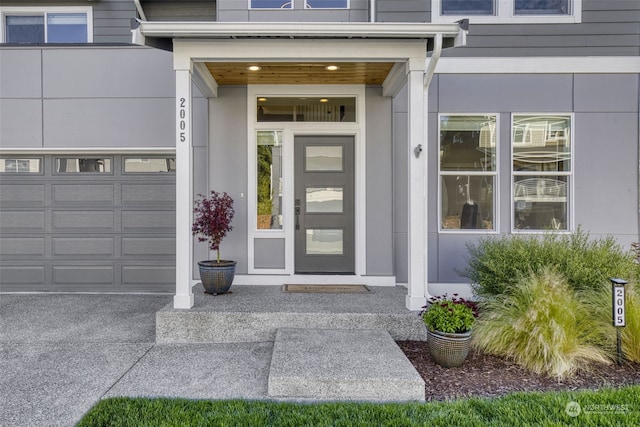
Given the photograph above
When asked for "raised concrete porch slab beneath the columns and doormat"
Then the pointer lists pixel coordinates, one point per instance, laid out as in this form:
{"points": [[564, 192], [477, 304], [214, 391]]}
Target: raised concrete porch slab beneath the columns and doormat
{"points": [[254, 313]]}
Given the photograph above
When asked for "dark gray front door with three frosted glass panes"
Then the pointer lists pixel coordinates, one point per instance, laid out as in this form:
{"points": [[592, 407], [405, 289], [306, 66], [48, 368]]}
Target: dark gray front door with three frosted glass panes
{"points": [[324, 205]]}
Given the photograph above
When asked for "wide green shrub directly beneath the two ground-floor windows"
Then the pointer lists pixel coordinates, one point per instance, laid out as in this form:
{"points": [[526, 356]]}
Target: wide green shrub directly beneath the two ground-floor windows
{"points": [[495, 264]]}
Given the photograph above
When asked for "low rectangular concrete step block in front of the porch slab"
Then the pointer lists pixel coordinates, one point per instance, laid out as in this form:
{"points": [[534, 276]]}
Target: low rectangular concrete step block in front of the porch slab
{"points": [[341, 364]]}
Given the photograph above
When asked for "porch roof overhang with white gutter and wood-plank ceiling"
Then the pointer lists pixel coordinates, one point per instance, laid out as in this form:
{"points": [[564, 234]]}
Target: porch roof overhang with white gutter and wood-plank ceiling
{"points": [[294, 52]]}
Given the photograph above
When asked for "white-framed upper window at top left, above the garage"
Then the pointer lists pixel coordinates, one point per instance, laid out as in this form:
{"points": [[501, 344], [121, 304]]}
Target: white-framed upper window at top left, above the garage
{"points": [[33, 25]]}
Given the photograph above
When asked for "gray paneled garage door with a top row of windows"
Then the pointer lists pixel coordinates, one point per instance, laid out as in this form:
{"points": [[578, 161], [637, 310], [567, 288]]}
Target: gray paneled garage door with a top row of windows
{"points": [[98, 223]]}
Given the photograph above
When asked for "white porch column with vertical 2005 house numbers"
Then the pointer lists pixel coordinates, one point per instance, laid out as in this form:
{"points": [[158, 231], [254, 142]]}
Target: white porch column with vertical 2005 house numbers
{"points": [[184, 183]]}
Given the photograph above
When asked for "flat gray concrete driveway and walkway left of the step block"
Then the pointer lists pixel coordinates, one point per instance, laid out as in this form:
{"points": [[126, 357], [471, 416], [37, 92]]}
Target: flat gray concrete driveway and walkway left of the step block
{"points": [[60, 354]]}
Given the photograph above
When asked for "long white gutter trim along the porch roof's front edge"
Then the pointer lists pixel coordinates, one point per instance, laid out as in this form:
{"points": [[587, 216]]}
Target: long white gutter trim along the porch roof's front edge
{"points": [[299, 29]]}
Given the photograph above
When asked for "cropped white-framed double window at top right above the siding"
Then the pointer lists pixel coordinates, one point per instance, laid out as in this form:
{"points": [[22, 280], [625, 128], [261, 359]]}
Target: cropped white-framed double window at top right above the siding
{"points": [[507, 11]]}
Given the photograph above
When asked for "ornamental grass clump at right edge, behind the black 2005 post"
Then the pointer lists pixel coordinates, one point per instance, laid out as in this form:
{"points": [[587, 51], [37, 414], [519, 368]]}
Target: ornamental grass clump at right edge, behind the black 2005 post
{"points": [[599, 301]]}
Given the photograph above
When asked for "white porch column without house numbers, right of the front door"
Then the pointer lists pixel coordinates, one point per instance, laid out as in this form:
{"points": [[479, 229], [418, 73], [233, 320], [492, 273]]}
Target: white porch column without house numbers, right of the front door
{"points": [[417, 154]]}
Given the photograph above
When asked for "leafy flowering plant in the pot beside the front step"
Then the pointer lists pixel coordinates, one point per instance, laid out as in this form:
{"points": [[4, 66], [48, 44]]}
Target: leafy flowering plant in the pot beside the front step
{"points": [[449, 315]]}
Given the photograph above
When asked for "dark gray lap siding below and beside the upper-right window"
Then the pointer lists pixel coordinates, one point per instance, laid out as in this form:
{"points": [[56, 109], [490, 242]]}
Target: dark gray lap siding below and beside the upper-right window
{"points": [[608, 28]]}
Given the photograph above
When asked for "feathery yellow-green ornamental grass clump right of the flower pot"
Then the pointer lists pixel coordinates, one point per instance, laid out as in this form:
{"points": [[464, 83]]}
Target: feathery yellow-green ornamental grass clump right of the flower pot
{"points": [[539, 324]]}
